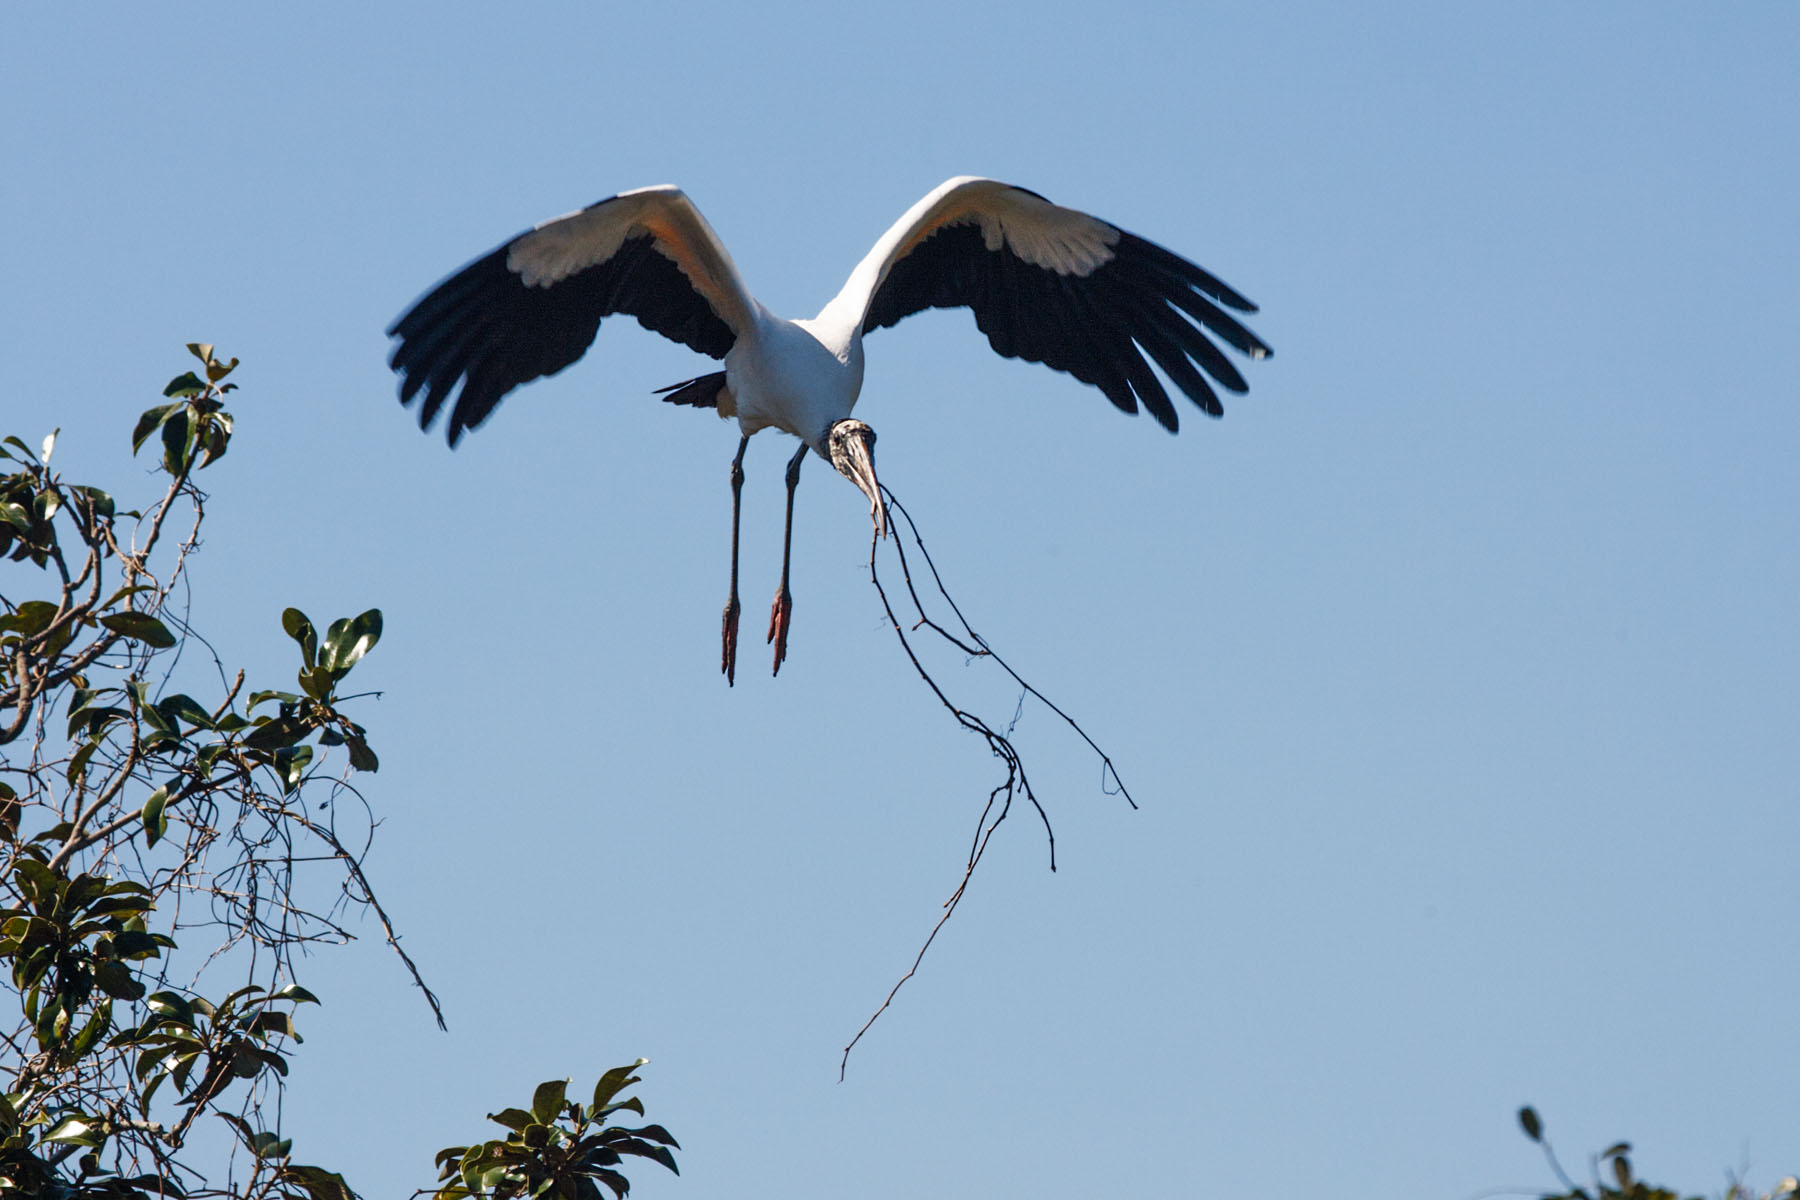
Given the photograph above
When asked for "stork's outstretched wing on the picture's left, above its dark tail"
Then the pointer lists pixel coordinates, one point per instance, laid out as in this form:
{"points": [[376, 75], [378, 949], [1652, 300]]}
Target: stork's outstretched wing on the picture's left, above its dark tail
{"points": [[532, 307]]}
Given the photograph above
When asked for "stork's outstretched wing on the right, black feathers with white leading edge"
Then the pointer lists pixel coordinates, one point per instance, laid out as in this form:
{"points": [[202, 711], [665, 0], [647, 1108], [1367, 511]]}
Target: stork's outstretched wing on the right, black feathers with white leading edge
{"points": [[1063, 289]]}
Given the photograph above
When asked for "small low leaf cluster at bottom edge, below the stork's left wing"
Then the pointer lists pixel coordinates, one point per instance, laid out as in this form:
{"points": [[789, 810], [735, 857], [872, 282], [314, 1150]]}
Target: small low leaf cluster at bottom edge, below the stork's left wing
{"points": [[559, 1149]]}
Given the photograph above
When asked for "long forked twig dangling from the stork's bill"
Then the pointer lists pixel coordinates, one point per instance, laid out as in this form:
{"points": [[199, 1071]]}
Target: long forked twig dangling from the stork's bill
{"points": [[1000, 744]]}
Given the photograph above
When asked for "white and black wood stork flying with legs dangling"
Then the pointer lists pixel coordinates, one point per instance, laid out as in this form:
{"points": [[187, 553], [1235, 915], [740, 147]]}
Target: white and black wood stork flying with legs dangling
{"points": [[1045, 283]]}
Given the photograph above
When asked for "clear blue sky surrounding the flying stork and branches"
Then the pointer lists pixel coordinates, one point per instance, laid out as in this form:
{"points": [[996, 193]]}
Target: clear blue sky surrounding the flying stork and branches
{"points": [[1457, 668]]}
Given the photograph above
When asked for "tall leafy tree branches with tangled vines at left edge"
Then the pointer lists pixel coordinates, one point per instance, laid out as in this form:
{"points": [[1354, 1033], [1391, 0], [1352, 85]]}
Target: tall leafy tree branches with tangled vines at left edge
{"points": [[116, 814]]}
